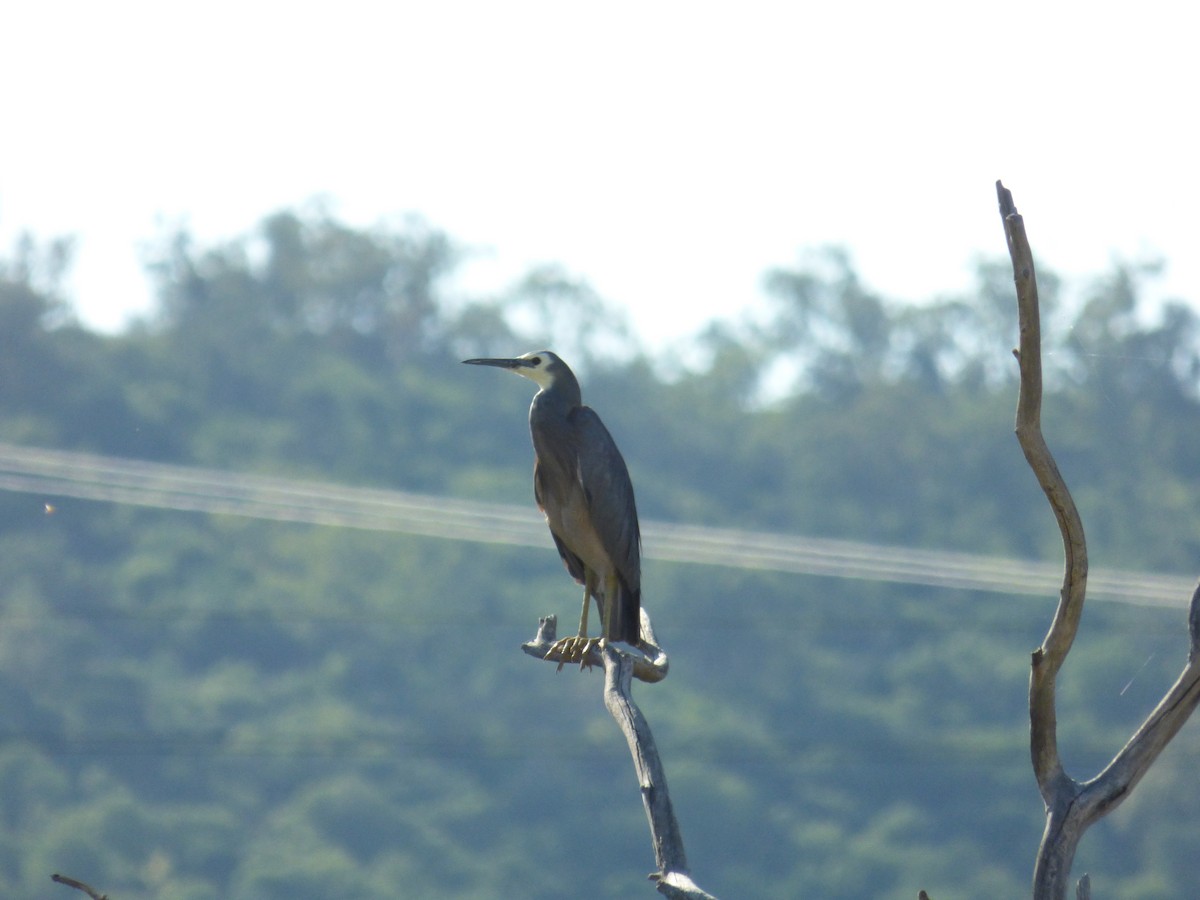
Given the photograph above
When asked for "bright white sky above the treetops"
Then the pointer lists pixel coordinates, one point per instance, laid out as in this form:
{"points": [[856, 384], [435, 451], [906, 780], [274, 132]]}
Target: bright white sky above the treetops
{"points": [[668, 153]]}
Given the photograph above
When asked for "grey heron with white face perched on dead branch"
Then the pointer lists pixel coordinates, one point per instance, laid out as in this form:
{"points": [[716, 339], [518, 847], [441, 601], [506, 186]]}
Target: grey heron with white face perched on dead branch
{"points": [[583, 487]]}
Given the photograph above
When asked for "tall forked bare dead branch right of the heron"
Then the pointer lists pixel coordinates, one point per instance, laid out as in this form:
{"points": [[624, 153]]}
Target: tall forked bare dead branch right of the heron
{"points": [[1071, 806]]}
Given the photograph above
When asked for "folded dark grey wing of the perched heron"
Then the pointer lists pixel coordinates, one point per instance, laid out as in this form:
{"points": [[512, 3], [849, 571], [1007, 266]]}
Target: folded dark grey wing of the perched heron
{"points": [[610, 495]]}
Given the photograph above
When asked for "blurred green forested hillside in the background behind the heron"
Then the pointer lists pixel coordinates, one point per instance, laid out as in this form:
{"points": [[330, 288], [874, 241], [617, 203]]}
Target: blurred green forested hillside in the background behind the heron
{"points": [[201, 707]]}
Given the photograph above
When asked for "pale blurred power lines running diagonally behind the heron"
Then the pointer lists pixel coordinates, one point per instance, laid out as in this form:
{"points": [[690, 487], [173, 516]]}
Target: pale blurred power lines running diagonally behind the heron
{"points": [[58, 473]]}
